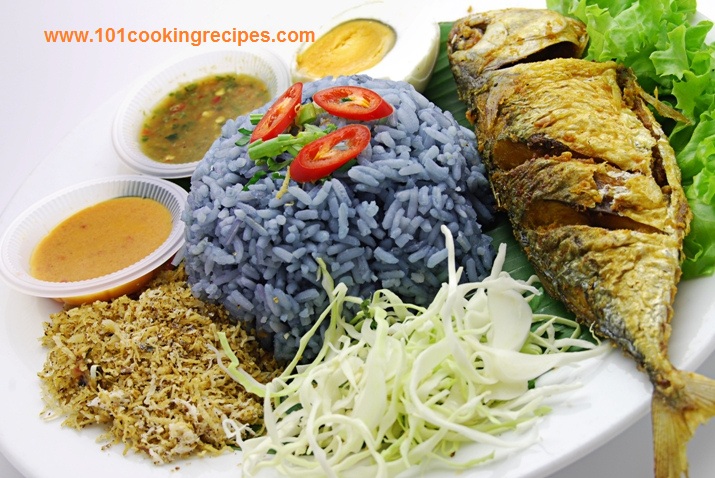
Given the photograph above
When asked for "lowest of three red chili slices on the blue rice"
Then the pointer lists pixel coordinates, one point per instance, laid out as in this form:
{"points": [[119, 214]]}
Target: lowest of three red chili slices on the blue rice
{"points": [[321, 157]]}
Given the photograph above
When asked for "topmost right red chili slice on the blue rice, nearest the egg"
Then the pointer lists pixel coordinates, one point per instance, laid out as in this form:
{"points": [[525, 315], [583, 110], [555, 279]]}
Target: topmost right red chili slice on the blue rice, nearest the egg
{"points": [[353, 102]]}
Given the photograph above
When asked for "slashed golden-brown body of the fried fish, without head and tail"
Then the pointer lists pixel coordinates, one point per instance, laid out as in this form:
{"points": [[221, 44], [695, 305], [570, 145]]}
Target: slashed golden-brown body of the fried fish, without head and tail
{"points": [[604, 235]]}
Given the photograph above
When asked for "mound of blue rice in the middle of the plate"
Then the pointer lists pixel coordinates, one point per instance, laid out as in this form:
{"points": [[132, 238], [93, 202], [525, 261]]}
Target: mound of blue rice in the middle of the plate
{"points": [[375, 225]]}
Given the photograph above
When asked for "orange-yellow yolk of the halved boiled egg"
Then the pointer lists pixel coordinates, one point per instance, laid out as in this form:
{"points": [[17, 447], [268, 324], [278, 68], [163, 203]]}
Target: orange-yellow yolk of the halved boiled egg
{"points": [[351, 47]]}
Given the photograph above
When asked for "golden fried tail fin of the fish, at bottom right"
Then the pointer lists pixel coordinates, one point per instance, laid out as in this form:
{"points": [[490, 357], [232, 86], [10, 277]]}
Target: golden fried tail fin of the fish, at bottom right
{"points": [[675, 422]]}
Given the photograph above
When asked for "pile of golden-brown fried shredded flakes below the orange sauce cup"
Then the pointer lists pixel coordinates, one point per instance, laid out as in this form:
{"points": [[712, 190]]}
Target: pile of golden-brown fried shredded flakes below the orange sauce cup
{"points": [[146, 368]]}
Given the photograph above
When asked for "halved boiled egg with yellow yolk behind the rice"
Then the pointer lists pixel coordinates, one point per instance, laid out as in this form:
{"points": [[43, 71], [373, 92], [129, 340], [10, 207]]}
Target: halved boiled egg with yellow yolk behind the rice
{"points": [[378, 39]]}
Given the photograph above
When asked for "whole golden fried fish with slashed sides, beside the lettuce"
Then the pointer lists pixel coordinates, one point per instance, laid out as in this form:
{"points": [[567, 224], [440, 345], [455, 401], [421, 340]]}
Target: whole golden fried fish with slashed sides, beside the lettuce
{"points": [[592, 189]]}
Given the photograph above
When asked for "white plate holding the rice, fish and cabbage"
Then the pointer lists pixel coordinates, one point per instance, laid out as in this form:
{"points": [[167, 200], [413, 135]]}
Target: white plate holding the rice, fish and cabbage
{"points": [[613, 397]]}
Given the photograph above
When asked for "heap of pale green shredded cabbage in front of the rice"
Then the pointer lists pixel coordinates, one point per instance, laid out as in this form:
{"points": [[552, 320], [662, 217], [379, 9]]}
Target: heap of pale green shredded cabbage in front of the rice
{"points": [[399, 384]]}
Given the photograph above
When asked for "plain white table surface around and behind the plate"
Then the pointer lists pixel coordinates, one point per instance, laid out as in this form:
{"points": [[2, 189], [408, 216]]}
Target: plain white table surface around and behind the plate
{"points": [[47, 89]]}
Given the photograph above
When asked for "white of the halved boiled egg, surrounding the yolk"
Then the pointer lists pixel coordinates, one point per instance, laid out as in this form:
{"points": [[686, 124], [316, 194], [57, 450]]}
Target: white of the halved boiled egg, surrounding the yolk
{"points": [[411, 58]]}
